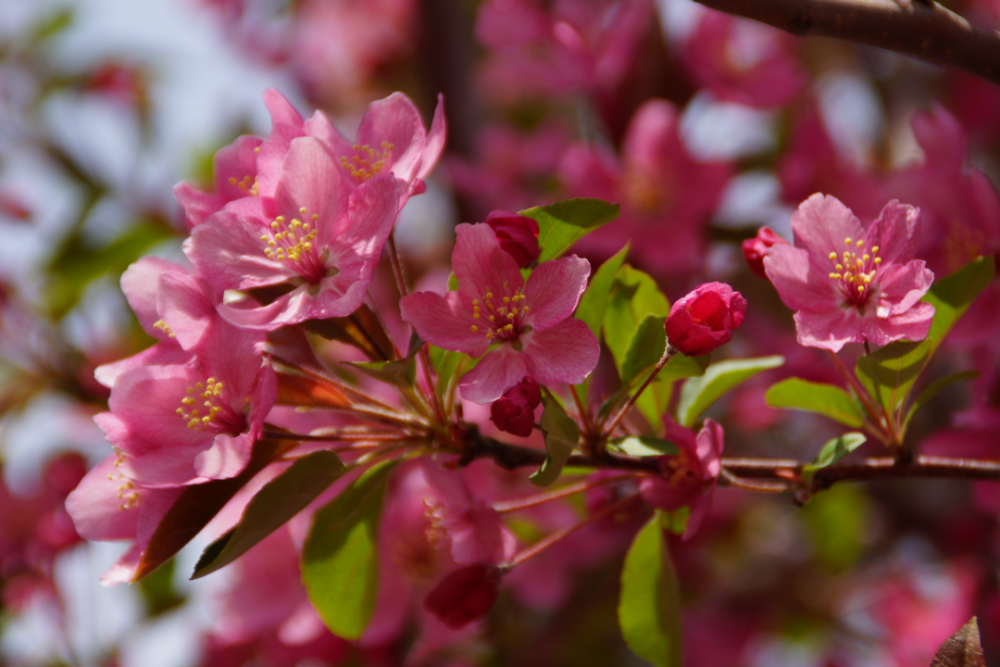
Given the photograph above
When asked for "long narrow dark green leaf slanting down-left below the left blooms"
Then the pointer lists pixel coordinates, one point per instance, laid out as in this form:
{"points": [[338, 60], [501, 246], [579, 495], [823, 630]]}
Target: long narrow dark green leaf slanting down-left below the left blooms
{"points": [[275, 504]]}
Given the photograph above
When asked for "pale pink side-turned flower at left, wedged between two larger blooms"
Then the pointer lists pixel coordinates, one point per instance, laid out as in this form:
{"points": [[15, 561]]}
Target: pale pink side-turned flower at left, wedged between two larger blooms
{"points": [[172, 306]]}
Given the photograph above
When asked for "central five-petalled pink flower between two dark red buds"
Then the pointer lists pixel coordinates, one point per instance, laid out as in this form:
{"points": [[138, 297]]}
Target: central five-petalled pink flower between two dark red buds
{"points": [[531, 324]]}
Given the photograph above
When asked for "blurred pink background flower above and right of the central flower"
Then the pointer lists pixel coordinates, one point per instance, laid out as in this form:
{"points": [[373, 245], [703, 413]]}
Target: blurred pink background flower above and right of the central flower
{"points": [[665, 194]]}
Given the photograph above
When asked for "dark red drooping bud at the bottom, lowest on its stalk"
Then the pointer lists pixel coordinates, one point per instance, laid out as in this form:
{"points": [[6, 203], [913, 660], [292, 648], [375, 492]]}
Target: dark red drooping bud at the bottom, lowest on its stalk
{"points": [[464, 595]]}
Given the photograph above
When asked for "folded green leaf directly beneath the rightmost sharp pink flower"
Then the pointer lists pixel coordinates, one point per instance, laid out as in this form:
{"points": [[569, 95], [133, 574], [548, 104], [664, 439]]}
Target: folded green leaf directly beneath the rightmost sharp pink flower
{"points": [[889, 373]]}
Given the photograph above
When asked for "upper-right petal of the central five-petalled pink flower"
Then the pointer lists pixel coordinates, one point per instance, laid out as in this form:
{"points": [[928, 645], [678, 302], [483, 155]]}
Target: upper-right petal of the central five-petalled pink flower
{"points": [[553, 290]]}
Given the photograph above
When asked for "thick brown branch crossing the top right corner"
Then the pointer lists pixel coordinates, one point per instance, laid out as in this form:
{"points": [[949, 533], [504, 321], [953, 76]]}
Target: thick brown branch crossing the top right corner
{"points": [[924, 30]]}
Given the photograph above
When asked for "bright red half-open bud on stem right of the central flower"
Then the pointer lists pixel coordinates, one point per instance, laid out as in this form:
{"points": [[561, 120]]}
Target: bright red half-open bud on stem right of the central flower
{"points": [[704, 319]]}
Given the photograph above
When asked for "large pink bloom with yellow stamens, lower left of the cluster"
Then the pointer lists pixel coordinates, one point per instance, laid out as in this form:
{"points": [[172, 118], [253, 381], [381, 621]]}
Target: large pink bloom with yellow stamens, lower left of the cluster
{"points": [[186, 424]]}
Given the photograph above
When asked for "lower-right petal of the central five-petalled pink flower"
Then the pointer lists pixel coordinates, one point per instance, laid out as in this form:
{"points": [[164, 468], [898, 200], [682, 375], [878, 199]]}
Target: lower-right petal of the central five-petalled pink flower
{"points": [[567, 353]]}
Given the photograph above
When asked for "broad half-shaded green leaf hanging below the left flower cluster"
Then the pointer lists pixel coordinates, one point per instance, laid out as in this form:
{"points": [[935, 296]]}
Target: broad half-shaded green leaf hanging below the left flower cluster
{"points": [[340, 556]]}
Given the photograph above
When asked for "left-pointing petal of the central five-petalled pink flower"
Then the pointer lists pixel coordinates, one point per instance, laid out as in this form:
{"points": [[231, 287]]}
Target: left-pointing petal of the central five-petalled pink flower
{"points": [[444, 322]]}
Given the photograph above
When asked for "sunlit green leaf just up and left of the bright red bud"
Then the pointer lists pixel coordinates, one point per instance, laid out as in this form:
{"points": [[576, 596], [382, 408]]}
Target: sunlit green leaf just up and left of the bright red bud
{"points": [[634, 296]]}
